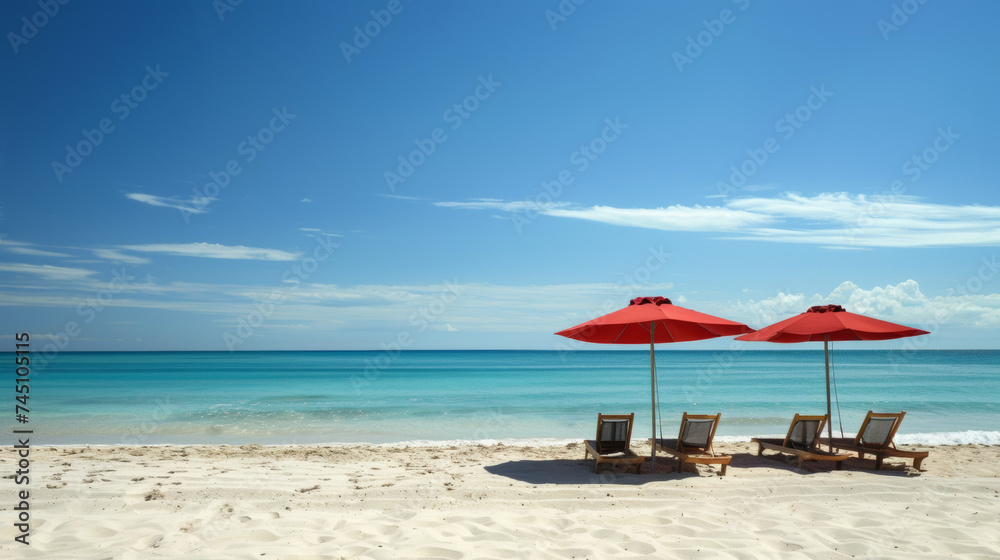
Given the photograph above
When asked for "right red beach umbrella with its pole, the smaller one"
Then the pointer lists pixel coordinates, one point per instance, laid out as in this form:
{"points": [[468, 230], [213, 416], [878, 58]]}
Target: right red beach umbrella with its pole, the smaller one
{"points": [[826, 323]]}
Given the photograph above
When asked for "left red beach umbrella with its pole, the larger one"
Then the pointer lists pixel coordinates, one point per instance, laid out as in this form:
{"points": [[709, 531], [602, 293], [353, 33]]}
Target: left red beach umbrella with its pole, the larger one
{"points": [[652, 320]]}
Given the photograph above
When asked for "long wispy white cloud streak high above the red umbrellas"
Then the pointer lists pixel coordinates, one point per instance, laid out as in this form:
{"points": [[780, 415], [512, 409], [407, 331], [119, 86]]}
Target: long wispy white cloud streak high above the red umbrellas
{"points": [[833, 220]]}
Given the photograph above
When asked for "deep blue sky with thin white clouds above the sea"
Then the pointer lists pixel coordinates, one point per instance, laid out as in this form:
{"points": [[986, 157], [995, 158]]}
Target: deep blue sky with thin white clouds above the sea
{"points": [[333, 175]]}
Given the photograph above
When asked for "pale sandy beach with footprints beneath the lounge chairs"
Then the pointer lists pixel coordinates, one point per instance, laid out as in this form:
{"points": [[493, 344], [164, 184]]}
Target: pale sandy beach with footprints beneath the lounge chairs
{"points": [[496, 501]]}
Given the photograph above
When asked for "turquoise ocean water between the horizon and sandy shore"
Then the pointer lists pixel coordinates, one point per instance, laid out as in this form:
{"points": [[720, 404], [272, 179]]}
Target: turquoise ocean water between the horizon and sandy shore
{"points": [[523, 396]]}
